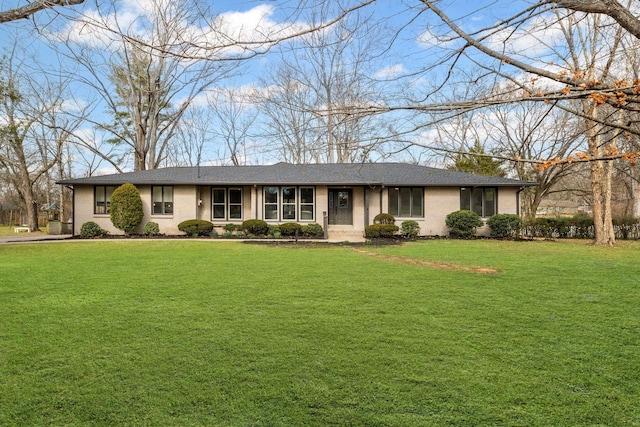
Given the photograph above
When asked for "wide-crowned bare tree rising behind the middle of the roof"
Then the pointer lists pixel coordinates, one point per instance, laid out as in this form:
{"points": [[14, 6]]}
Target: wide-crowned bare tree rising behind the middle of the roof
{"points": [[322, 81]]}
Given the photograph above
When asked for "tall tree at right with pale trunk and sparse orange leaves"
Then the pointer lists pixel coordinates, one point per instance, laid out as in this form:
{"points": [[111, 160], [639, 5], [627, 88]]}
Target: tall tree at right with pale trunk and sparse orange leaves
{"points": [[575, 55]]}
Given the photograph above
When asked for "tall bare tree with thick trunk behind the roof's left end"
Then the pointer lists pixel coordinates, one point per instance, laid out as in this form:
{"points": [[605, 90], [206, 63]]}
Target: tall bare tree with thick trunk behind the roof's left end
{"points": [[146, 74]]}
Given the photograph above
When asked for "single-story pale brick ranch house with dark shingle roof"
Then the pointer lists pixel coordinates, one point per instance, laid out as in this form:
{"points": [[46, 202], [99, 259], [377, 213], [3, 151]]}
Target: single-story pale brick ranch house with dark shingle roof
{"points": [[344, 198]]}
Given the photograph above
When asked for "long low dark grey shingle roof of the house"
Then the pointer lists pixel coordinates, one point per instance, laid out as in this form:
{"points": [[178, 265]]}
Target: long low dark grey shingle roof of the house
{"points": [[399, 174]]}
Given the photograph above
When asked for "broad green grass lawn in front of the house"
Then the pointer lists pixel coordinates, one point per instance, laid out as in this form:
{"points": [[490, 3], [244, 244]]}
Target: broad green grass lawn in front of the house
{"points": [[222, 333]]}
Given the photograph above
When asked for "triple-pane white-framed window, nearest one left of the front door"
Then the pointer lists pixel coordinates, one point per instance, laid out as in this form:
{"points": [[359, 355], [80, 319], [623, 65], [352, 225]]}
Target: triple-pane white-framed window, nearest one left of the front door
{"points": [[289, 203]]}
